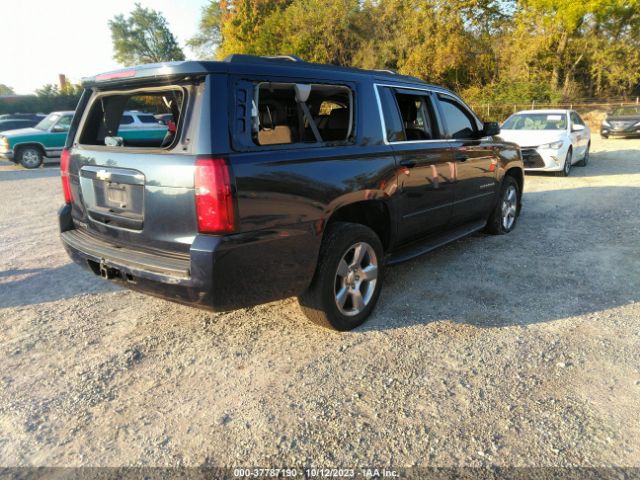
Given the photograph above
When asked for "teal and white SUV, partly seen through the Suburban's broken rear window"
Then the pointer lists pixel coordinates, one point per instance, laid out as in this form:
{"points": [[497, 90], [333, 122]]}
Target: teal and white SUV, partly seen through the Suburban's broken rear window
{"points": [[30, 147]]}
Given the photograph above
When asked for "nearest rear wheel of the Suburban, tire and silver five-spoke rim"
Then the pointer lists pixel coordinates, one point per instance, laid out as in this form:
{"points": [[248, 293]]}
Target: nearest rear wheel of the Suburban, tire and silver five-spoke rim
{"points": [[348, 278]]}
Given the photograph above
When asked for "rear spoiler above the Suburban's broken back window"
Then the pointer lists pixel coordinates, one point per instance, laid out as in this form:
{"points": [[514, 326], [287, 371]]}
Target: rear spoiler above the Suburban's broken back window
{"points": [[154, 71]]}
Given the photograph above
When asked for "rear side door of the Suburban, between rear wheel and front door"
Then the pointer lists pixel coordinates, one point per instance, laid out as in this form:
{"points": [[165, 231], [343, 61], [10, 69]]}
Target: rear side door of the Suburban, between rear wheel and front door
{"points": [[425, 168]]}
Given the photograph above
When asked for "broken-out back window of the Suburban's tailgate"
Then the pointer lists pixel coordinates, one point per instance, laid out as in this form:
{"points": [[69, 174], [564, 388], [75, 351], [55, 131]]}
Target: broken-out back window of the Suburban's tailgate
{"points": [[105, 122]]}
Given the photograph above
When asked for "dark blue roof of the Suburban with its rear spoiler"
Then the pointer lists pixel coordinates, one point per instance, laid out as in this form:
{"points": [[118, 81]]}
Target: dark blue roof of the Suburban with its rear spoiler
{"points": [[275, 66]]}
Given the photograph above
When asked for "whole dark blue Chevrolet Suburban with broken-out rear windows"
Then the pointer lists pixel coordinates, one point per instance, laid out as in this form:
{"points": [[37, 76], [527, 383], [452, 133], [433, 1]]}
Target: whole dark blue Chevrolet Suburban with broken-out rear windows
{"points": [[278, 178]]}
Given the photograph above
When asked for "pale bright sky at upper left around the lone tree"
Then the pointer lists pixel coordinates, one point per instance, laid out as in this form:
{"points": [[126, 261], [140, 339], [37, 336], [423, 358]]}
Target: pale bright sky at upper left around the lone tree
{"points": [[41, 38]]}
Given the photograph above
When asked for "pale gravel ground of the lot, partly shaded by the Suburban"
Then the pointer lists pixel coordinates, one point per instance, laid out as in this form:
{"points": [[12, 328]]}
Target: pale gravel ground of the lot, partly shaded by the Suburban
{"points": [[521, 350]]}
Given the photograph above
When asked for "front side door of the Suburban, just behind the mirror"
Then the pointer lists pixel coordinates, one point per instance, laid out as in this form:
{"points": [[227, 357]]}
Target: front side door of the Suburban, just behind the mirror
{"points": [[475, 162]]}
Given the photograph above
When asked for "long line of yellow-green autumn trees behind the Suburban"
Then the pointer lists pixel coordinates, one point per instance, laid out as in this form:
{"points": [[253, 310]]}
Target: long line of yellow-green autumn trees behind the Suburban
{"points": [[488, 50]]}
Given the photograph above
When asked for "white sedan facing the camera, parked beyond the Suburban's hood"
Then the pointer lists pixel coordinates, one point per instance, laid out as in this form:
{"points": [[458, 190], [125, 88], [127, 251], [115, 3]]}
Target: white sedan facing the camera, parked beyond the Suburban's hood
{"points": [[550, 140]]}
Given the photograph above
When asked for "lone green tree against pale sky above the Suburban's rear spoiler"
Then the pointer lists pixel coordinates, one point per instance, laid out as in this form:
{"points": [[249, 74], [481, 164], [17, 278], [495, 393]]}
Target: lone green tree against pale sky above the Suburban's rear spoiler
{"points": [[143, 37]]}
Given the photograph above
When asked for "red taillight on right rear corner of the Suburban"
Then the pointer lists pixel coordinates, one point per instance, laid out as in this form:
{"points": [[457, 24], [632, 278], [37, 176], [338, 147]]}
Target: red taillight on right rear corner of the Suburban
{"points": [[214, 201]]}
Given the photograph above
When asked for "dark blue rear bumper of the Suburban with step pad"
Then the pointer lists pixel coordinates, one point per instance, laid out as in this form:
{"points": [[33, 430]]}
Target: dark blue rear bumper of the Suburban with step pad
{"points": [[218, 273]]}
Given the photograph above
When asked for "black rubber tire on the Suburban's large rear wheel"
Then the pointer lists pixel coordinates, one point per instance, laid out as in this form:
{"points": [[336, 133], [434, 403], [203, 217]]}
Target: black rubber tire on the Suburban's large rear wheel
{"points": [[319, 303]]}
